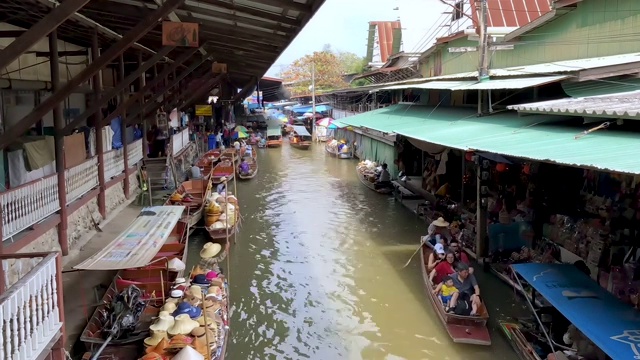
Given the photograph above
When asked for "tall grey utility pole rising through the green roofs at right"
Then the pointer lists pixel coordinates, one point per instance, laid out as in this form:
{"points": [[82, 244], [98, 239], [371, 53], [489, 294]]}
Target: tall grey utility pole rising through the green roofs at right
{"points": [[482, 170]]}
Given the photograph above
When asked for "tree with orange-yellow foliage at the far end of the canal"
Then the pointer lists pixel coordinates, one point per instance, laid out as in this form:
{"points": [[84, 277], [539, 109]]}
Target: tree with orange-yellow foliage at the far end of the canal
{"points": [[328, 73]]}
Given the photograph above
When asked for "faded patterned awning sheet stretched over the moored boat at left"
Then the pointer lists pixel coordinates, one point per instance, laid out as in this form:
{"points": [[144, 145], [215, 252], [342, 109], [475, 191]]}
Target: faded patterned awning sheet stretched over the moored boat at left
{"points": [[139, 243]]}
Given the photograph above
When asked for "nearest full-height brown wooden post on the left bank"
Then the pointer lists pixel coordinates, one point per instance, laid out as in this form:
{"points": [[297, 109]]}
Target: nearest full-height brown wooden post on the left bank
{"points": [[58, 123]]}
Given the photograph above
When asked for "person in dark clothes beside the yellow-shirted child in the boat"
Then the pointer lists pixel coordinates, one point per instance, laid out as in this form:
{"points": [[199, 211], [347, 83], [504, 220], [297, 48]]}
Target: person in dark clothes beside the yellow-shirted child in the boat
{"points": [[468, 291]]}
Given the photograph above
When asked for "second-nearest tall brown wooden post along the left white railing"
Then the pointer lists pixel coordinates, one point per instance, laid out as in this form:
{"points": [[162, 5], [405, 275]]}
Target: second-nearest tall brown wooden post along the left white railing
{"points": [[97, 90]]}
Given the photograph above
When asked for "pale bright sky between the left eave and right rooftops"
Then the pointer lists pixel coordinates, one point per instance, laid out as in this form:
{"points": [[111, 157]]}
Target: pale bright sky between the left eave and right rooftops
{"points": [[345, 23]]}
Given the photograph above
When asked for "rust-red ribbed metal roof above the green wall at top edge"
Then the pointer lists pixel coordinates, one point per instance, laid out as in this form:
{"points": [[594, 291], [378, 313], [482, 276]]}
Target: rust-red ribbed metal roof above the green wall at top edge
{"points": [[511, 13]]}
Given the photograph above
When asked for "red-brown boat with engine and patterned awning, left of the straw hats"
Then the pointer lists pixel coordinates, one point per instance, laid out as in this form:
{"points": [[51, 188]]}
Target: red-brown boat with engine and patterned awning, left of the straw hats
{"points": [[154, 279]]}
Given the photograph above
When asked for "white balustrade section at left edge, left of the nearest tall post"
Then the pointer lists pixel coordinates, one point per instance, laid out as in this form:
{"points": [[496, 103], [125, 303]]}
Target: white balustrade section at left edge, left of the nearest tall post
{"points": [[28, 204]]}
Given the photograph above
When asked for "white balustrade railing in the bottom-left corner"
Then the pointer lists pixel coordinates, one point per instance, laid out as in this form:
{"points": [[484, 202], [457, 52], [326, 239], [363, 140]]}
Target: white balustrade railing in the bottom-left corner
{"points": [[32, 309]]}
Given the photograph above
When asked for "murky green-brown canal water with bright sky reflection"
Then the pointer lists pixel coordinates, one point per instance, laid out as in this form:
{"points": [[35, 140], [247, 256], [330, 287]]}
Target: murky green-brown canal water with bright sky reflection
{"points": [[317, 270]]}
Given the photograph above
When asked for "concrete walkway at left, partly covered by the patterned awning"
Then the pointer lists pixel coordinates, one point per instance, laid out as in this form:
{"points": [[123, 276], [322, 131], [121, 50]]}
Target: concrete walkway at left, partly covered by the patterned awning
{"points": [[83, 290]]}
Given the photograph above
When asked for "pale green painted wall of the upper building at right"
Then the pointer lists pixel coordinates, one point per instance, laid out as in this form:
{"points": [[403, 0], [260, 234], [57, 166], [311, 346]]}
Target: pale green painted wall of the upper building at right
{"points": [[595, 28]]}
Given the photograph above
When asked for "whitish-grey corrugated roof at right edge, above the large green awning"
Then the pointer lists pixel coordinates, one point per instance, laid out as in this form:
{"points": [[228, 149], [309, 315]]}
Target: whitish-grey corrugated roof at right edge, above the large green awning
{"points": [[622, 105]]}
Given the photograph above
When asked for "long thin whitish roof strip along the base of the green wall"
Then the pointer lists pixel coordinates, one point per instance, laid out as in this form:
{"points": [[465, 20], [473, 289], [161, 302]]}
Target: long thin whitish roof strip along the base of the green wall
{"points": [[552, 68]]}
